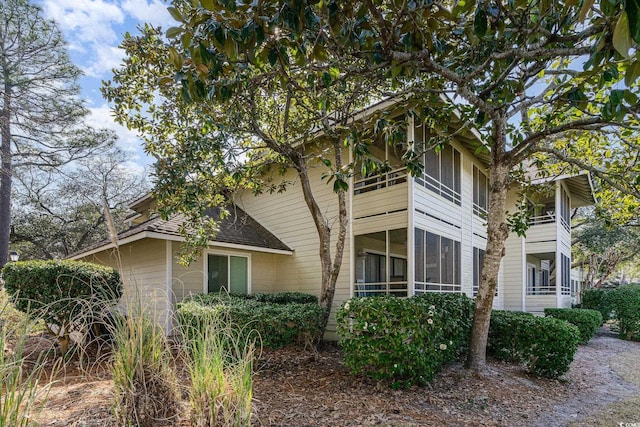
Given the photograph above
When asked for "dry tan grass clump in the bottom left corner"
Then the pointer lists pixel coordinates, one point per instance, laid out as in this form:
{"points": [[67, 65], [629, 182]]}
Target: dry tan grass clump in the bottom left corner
{"points": [[23, 394]]}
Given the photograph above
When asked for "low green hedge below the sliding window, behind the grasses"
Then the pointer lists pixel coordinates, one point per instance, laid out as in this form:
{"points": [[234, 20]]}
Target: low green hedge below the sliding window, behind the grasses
{"points": [[277, 324]]}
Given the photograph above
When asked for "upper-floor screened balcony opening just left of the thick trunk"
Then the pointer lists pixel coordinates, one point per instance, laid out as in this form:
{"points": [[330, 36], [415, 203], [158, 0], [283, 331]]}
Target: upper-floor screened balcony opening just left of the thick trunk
{"points": [[442, 173]]}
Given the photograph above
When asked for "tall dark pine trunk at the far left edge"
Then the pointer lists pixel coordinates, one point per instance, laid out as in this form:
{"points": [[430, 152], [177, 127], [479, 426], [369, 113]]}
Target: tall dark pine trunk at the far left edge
{"points": [[5, 174]]}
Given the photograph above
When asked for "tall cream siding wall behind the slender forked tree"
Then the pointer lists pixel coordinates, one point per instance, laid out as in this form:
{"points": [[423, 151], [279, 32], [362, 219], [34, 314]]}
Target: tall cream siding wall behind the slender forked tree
{"points": [[286, 215]]}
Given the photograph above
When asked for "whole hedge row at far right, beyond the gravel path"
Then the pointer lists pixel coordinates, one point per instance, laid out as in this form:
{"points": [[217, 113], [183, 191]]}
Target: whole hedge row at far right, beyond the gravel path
{"points": [[621, 304]]}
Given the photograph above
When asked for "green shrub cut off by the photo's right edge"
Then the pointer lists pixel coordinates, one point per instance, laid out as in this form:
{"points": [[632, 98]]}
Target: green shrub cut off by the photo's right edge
{"points": [[625, 302]]}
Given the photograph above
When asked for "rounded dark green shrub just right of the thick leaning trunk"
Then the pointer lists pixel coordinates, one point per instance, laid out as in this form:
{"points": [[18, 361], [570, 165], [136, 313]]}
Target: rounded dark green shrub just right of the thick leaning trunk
{"points": [[544, 345]]}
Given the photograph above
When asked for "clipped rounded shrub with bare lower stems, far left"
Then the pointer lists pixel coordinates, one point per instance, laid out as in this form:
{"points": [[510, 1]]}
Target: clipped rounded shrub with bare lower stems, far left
{"points": [[65, 294]]}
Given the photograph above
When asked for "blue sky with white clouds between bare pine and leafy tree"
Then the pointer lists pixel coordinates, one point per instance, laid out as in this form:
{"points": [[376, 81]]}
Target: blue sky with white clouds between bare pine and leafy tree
{"points": [[93, 30]]}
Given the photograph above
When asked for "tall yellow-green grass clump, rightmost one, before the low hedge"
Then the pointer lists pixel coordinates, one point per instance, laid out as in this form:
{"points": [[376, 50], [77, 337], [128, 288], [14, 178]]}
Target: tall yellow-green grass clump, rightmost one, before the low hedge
{"points": [[220, 359]]}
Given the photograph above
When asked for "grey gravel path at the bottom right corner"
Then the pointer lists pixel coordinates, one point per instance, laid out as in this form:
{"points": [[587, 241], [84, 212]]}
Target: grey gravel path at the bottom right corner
{"points": [[606, 377]]}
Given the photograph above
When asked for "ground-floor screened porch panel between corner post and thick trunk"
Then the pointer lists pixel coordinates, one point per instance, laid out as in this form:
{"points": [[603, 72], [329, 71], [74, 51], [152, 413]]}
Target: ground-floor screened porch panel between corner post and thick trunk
{"points": [[437, 264]]}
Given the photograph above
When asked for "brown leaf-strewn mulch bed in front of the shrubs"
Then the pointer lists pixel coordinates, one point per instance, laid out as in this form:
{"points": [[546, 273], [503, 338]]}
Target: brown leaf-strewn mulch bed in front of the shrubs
{"points": [[296, 388]]}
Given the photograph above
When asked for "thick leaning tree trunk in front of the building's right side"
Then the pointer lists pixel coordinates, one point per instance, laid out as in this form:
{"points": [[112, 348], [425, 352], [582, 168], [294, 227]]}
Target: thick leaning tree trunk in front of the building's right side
{"points": [[497, 233]]}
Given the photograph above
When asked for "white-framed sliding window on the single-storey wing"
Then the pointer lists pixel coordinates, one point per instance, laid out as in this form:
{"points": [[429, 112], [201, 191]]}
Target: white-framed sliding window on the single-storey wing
{"points": [[227, 272]]}
